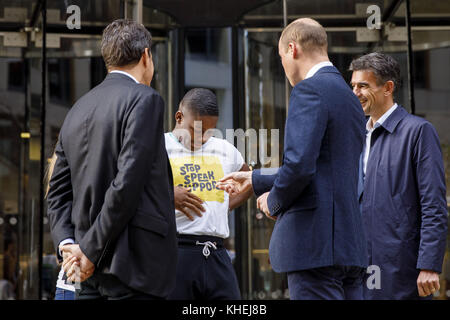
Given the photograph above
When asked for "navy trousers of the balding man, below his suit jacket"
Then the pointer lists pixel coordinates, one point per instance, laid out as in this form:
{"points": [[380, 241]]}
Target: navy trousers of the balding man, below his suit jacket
{"points": [[327, 283]]}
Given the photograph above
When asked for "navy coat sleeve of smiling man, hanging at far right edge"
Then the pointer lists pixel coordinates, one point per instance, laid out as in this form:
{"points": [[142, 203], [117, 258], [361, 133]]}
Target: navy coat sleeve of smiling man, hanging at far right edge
{"points": [[432, 192]]}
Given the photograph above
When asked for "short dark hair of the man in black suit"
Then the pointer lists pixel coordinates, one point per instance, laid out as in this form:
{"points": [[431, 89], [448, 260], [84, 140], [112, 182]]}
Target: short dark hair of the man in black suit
{"points": [[124, 42]]}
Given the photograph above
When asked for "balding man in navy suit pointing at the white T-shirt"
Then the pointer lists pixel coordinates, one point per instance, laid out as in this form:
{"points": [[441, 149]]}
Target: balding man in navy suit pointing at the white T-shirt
{"points": [[318, 235]]}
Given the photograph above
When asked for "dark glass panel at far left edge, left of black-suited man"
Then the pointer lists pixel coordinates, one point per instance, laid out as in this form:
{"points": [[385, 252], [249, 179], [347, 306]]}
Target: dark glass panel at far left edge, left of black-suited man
{"points": [[20, 111]]}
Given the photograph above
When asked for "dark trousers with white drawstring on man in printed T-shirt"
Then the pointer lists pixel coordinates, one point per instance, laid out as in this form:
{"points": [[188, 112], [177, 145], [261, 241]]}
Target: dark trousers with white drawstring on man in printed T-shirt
{"points": [[203, 272]]}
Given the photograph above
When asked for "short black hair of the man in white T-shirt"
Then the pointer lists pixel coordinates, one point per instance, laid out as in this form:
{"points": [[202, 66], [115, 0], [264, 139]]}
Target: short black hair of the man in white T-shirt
{"points": [[201, 101]]}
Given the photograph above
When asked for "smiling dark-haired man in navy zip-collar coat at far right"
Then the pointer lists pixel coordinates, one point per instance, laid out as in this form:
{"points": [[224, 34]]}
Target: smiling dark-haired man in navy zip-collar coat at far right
{"points": [[402, 187]]}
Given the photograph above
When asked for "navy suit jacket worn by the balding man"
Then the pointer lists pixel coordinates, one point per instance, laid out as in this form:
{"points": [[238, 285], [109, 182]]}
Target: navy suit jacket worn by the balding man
{"points": [[314, 192]]}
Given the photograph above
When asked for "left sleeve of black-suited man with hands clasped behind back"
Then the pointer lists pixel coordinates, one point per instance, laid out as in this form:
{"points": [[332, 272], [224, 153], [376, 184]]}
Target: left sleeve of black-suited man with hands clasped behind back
{"points": [[59, 200]]}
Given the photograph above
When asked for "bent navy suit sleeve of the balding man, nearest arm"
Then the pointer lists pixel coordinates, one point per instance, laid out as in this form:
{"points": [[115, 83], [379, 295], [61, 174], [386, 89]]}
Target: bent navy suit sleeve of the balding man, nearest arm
{"points": [[305, 128]]}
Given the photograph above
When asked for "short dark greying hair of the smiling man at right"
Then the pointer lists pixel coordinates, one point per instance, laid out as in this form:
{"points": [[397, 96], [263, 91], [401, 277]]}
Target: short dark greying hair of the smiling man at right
{"points": [[382, 65]]}
